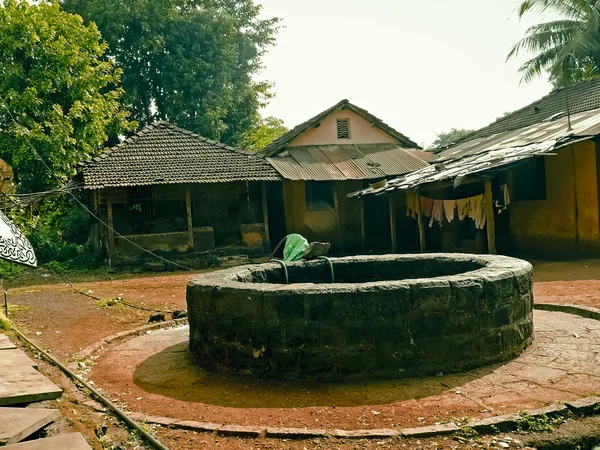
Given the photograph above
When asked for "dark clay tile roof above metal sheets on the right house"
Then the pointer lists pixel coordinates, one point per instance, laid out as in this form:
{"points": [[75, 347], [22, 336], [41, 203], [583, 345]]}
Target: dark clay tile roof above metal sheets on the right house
{"points": [[582, 97]]}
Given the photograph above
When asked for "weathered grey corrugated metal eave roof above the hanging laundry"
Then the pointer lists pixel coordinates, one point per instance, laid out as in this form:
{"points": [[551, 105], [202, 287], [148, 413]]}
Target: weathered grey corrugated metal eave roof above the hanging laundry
{"points": [[497, 152]]}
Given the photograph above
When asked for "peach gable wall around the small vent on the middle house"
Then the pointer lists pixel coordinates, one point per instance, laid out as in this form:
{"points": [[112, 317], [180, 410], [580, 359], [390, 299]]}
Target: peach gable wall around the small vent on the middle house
{"points": [[361, 132]]}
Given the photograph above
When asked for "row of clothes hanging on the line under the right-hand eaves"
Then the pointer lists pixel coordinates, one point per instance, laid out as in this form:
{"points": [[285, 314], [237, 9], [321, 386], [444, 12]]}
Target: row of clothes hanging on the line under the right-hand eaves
{"points": [[472, 207]]}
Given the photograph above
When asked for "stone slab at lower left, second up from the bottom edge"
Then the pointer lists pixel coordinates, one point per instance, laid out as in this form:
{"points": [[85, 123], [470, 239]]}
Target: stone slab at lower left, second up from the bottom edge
{"points": [[18, 423]]}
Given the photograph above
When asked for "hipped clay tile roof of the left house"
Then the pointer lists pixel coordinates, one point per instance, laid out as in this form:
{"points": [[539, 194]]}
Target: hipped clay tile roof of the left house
{"points": [[164, 154]]}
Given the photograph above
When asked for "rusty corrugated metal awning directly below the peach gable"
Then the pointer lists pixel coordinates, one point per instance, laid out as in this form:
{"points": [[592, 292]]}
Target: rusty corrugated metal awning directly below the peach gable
{"points": [[345, 162]]}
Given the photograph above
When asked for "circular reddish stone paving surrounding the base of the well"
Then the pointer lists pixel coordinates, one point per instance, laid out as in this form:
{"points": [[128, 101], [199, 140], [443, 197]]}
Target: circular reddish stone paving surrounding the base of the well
{"points": [[154, 374]]}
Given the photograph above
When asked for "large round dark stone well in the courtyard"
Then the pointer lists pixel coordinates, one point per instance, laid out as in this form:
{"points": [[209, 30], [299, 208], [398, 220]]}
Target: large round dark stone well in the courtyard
{"points": [[384, 317]]}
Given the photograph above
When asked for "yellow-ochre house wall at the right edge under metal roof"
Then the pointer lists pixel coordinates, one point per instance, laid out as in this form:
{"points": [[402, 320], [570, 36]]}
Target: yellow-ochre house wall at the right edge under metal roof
{"points": [[567, 221]]}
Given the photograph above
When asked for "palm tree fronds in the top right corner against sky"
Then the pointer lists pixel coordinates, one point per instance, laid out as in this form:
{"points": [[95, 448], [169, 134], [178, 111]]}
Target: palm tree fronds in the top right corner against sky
{"points": [[568, 48]]}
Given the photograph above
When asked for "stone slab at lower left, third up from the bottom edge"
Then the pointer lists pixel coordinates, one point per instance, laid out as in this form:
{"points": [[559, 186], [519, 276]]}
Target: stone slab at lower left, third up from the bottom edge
{"points": [[25, 385]]}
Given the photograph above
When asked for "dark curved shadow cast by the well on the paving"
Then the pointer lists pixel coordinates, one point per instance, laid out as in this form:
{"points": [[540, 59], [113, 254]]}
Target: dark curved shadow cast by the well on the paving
{"points": [[172, 374]]}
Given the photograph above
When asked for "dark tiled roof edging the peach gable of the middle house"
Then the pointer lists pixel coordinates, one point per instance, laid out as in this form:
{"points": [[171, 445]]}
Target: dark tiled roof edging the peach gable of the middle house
{"points": [[279, 144]]}
